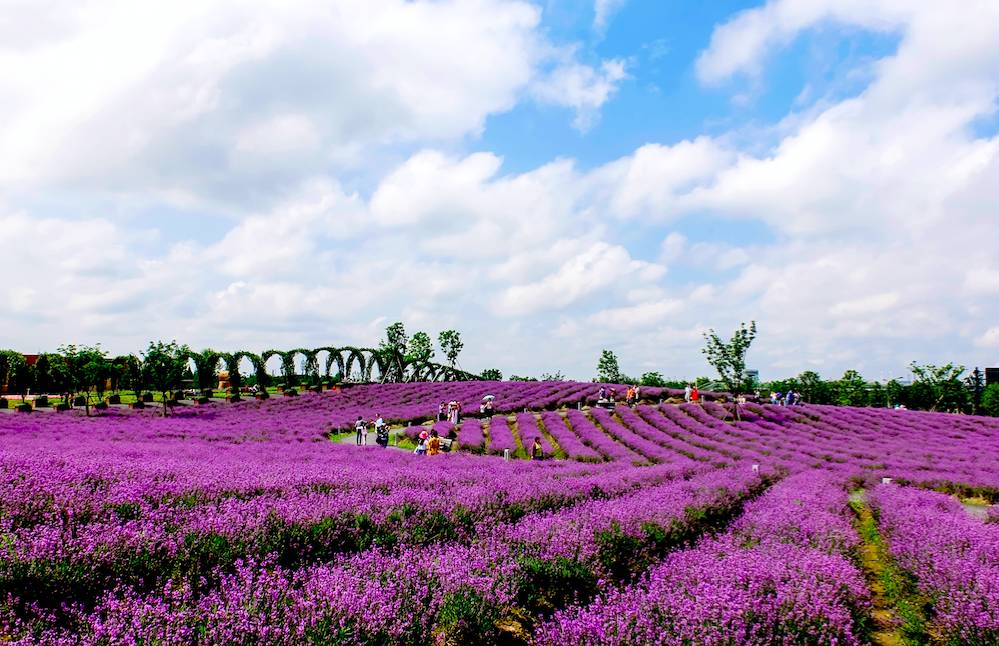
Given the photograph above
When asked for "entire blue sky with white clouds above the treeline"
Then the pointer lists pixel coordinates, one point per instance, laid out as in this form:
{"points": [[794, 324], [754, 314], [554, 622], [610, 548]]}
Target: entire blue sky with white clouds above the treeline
{"points": [[551, 178]]}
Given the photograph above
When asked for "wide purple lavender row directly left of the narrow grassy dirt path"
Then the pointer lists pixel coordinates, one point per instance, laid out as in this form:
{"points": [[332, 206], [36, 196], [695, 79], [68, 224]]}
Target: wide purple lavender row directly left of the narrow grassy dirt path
{"points": [[782, 574]]}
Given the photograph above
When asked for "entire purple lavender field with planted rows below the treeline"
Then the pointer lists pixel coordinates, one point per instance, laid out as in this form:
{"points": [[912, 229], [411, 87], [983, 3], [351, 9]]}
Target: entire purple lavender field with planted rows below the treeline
{"points": [[665, 523]]}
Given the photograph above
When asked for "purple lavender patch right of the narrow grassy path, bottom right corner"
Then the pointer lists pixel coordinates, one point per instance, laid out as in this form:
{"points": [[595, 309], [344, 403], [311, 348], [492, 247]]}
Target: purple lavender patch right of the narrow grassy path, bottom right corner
{"points": [[953, 556]]}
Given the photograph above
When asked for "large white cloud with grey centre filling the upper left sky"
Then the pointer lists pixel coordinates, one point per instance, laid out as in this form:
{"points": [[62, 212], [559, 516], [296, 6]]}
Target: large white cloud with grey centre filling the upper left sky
{"points": [[212, 94]]}
